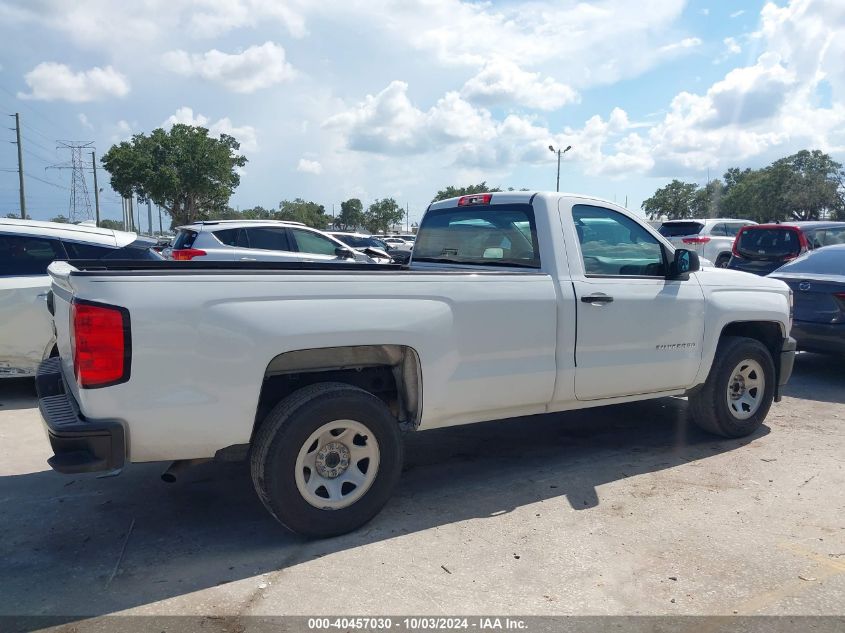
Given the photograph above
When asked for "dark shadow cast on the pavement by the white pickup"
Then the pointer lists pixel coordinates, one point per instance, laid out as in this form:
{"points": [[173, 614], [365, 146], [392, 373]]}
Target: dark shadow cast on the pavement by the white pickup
{"points": [[61, 537]]}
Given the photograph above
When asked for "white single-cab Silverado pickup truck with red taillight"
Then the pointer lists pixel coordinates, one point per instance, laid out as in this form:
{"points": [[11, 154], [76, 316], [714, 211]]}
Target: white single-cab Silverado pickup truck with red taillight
{"points": [[514, 304]]}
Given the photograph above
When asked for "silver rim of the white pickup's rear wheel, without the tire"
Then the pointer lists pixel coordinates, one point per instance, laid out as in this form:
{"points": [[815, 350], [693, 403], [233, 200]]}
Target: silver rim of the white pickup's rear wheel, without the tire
{"points": [[337, 464]]}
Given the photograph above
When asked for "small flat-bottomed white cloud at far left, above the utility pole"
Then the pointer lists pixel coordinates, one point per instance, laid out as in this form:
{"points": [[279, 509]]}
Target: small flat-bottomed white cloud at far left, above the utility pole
{"points": [[50, 81]]}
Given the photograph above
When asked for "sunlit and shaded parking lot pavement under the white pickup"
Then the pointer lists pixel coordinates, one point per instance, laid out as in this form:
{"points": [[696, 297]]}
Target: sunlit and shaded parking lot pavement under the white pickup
{"points": [[621, 510]]}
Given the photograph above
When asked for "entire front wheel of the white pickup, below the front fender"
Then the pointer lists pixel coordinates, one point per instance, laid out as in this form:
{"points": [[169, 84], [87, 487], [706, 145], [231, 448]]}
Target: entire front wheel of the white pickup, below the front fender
{"points": [[739, 390]]}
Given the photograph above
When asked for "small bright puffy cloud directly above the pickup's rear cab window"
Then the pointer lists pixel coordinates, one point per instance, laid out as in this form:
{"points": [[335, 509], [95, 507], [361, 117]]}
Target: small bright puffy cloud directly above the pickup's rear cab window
{"points": [[501, 81]]}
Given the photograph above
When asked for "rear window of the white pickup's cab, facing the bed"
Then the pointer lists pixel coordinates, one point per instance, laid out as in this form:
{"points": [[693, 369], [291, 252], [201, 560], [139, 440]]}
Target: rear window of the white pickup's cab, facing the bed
{"points": [[489, 235]]}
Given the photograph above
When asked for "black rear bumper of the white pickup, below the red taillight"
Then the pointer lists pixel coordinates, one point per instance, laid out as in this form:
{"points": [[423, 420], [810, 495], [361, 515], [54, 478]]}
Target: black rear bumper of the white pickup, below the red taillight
{"points": [[79, 445]]}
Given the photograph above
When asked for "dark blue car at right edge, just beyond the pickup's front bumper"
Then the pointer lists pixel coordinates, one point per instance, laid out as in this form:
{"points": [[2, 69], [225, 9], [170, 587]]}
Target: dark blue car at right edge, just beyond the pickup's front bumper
{"points": [[817, 279]]}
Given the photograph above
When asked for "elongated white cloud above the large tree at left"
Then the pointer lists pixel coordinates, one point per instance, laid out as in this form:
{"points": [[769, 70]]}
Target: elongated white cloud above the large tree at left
{"points": [[255, 68]]}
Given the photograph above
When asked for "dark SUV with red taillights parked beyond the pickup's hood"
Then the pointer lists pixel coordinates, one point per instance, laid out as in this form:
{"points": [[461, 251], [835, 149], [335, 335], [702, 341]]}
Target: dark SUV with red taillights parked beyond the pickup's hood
{"points": [[764, 248]]}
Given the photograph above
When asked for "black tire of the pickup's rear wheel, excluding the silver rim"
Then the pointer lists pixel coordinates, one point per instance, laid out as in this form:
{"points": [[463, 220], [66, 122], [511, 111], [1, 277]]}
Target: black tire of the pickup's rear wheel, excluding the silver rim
{"points": [[283, 433]]}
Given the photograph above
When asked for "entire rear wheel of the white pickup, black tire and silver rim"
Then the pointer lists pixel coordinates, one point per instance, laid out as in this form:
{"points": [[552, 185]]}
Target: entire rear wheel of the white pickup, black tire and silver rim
{"points": [[326, 459]]}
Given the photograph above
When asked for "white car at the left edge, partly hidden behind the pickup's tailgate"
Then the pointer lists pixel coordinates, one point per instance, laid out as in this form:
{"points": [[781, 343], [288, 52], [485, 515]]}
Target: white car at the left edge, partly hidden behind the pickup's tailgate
{"points": [[27, 247]]}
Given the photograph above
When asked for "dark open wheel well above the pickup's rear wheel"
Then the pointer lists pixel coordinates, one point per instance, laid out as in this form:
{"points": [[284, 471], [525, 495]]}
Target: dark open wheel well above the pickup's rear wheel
{"points": [[389, 372]]}
